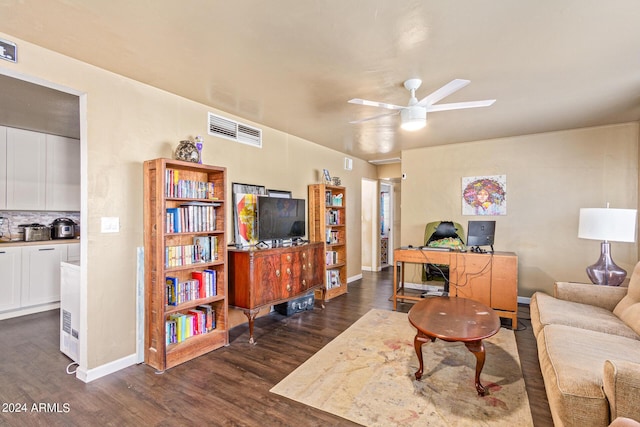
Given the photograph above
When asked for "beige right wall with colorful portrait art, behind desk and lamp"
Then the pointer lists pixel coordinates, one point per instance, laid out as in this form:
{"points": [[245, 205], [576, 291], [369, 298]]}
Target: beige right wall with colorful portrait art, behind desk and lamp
{"points": [[549, 178]]}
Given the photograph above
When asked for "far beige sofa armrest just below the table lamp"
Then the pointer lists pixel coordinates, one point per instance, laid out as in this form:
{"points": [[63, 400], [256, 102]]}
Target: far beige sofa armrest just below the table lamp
{"points": [[586, 293]]}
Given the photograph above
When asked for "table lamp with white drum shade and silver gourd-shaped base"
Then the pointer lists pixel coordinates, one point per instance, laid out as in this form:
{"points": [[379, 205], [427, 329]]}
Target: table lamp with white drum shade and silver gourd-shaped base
{"points": [[615, 225]]}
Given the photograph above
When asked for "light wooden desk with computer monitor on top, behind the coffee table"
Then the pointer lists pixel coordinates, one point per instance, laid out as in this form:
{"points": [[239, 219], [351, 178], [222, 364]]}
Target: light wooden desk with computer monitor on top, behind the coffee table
{"points": [[491, 279]]}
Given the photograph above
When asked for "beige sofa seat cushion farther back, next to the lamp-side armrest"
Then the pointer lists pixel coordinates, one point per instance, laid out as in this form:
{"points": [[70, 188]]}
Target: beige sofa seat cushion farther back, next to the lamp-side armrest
{"points": [[547, 310]]}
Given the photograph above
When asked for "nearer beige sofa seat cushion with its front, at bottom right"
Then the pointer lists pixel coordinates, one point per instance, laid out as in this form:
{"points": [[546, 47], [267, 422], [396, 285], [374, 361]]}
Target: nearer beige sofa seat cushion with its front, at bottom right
{"points": [[572, 362]]}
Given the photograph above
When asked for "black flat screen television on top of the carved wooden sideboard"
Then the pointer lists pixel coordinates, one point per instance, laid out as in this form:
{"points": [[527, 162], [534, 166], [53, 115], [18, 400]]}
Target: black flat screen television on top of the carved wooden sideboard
{"points": [[280, 218]]}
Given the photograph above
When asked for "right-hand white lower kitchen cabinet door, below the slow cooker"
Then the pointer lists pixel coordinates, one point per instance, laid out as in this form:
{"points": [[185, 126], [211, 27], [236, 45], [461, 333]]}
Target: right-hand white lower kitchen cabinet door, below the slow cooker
{"points": [[41, 273]]}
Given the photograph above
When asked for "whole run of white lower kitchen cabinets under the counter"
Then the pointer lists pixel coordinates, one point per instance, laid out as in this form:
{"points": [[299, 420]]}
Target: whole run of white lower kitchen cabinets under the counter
{"points": [[30, 276]]}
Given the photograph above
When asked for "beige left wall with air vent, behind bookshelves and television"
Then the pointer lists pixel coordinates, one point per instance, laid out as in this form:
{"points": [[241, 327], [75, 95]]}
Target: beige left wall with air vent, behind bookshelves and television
{"points": [[128, 122]]}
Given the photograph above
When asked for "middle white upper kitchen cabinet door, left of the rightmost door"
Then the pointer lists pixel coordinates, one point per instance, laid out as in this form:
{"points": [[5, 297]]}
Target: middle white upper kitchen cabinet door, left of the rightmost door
{"points": [[26, 169]]}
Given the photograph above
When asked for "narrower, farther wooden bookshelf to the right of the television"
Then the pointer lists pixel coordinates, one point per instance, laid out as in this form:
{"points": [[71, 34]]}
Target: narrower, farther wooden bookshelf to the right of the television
{"points": [[327, 224]]}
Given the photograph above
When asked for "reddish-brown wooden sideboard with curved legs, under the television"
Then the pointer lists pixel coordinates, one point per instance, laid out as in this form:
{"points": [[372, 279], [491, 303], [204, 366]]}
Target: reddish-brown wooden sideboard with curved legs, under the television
{"points": [[263, 277]]}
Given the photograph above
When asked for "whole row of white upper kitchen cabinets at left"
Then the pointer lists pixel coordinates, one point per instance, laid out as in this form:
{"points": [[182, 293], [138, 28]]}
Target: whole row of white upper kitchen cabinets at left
{"points": [[41, 172]]}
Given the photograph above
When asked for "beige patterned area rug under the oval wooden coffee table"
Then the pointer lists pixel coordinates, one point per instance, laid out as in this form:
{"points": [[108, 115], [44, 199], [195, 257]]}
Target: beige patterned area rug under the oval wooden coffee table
{"points": [[366, 375]]}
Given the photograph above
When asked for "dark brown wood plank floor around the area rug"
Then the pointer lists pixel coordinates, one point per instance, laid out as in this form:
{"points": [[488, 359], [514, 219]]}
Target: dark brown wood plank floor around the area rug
{"points": [[227, 387]]}
